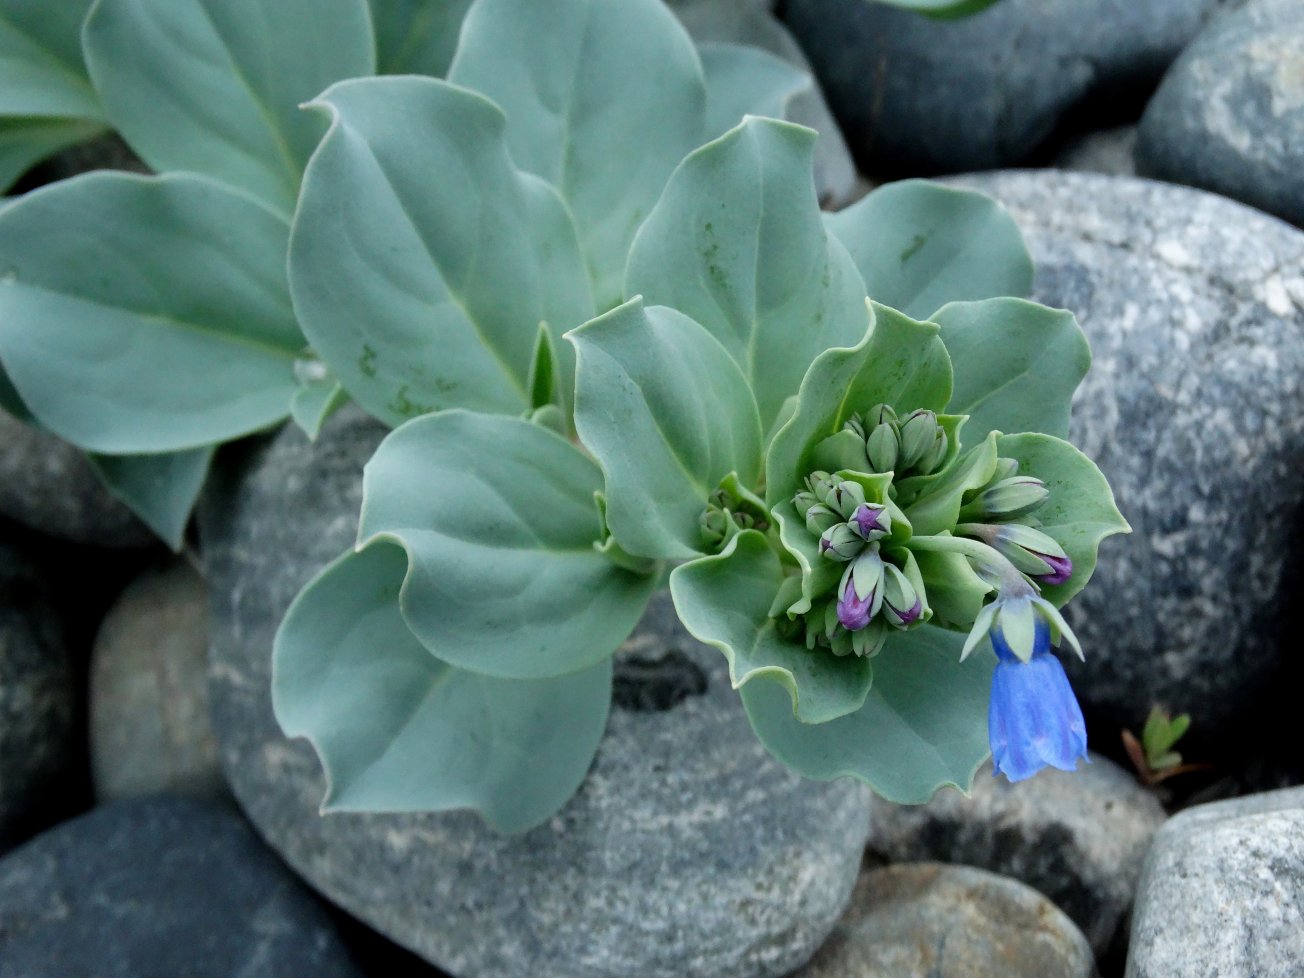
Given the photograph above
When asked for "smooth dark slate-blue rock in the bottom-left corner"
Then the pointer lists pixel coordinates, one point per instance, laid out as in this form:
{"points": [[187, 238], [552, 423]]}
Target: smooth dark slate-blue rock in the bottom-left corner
{"points": [[160, 890]]}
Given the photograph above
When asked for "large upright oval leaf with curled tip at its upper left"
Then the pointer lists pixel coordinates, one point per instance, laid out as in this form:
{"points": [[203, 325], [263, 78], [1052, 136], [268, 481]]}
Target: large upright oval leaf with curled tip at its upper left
{"points": [[422, 260]]}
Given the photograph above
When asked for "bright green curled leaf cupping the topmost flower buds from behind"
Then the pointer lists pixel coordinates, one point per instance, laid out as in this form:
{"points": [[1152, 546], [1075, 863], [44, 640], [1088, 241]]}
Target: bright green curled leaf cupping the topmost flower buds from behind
{"points": [[899, 362]]}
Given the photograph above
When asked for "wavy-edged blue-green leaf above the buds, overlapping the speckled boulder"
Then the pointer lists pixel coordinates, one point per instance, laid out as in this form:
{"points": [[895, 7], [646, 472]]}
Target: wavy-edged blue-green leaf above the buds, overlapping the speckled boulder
{"points": [[1016, 364]]}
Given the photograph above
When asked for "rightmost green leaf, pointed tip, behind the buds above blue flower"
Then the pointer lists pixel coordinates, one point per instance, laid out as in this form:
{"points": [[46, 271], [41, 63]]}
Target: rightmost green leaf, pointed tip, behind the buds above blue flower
{"points": [[1080, 512]]}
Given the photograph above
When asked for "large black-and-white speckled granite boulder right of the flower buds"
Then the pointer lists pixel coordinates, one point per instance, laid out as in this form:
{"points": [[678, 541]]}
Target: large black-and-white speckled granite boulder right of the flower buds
{"points": [[1195, 410]]}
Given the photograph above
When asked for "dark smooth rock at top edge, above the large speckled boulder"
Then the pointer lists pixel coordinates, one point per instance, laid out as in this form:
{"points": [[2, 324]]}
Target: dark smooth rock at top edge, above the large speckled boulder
{"points": [[916, 95]]}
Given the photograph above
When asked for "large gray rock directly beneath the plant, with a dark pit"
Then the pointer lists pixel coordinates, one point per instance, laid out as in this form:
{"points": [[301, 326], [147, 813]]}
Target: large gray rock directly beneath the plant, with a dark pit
{"points": [[688, 852]]}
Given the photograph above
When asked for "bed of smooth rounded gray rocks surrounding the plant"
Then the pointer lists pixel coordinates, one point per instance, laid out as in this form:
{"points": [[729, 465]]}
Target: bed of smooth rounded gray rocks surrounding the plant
{"points": [[156, 822]]}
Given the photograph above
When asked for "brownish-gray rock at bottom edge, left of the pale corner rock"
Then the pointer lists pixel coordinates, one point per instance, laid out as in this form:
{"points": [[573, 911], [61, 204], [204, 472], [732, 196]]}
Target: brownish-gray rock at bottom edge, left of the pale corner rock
{"points": [[933, 921]]}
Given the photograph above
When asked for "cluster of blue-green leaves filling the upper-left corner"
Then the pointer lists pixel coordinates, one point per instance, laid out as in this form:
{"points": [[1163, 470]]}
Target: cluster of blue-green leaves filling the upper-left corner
{"points": [[148, 319]]}
